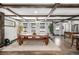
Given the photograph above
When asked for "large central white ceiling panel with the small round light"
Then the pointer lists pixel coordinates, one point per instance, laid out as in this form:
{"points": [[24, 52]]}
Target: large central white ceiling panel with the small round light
{"points": [[31, 11]]}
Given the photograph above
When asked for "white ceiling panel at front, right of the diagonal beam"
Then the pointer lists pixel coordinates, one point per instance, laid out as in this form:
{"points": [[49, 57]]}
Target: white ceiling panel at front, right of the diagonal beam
{"points": [[66, 11]]}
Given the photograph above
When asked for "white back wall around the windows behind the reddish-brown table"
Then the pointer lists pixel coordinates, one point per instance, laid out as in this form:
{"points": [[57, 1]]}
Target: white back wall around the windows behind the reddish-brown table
{"points": [[37, 28]]}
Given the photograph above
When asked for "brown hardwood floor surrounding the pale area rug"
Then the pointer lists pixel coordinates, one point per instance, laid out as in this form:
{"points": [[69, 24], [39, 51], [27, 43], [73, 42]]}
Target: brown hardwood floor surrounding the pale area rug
{"points": [[64, 45]]}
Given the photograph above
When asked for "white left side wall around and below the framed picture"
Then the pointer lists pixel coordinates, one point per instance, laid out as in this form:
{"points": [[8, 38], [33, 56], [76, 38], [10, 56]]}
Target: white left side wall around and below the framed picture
{"points": [[11, 32]]}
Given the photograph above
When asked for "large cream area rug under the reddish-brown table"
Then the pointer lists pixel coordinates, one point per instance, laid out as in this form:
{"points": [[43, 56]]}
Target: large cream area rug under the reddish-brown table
{"points": [[32, 45]]}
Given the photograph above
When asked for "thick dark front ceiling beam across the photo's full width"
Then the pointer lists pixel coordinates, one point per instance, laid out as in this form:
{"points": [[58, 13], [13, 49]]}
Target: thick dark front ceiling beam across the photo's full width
{"points": [[39, 5]]}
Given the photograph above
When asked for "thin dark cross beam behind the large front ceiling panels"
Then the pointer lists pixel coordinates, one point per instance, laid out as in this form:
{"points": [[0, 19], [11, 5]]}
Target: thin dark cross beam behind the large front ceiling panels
{"points": [[41, 15]]}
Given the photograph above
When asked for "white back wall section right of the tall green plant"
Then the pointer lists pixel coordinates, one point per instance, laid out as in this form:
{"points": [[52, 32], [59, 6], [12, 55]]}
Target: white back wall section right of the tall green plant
{"points": [[63, 26]]}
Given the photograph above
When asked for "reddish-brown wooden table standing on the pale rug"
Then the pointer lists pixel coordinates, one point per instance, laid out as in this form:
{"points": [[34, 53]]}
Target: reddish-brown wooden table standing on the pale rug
{"points": [[22, 38]]}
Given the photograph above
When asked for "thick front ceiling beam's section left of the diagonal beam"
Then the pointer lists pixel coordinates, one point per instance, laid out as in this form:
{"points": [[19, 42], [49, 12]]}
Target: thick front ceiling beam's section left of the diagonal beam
{"points": [[28, 5]]}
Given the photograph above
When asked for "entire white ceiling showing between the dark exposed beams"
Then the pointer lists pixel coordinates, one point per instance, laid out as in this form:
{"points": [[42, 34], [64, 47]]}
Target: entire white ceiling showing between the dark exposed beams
{"points": [[42, 11]]}
